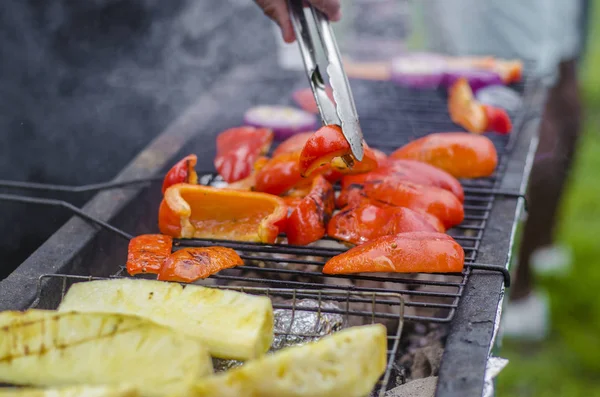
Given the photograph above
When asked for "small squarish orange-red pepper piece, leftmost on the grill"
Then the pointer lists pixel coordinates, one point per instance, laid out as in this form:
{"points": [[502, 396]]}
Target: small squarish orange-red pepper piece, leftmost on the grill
{"points": [[147, 253]]}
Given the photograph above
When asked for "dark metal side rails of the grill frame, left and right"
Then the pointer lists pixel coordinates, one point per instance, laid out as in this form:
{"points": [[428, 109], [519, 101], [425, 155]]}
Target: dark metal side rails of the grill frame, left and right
{"points": [[75, 248]]}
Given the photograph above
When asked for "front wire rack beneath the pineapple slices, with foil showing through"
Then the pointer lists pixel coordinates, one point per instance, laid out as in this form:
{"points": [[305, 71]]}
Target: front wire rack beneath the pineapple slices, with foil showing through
{"points": [[301, 315]]}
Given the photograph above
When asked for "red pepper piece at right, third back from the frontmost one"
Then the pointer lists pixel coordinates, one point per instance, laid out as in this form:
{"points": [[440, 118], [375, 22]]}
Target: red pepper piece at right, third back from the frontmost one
{"points": [[430, 199]]}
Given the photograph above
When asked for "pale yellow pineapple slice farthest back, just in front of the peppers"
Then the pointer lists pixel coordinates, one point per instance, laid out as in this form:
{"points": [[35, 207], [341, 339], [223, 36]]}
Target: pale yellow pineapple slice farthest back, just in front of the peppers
{"points": [[231, 325]]}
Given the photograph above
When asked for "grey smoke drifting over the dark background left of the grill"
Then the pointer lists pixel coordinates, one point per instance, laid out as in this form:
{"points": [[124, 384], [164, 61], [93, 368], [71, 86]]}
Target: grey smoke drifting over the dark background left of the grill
{"points": [[87, 84]]}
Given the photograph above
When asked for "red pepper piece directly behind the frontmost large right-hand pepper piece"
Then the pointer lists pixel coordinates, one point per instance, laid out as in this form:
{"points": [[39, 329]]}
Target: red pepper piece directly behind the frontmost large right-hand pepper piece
{"points": [[367, 222]]}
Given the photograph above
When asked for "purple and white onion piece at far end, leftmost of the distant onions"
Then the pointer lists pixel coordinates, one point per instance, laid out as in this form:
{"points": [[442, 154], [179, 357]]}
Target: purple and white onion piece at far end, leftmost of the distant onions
{"points": [[419, 70]]}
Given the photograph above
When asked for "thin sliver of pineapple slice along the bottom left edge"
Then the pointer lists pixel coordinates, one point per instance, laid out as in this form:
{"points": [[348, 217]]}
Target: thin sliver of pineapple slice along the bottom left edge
{"points": [[73, 391]]}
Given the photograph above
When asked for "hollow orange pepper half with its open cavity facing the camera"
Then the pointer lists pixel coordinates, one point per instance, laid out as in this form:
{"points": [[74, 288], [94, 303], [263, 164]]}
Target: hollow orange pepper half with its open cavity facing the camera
{"points": [[196, 211]]}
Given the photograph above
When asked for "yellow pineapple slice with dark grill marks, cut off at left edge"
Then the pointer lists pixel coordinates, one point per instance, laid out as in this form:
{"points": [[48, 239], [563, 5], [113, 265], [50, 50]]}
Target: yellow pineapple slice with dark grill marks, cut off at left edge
{"points": [[46, 348]]}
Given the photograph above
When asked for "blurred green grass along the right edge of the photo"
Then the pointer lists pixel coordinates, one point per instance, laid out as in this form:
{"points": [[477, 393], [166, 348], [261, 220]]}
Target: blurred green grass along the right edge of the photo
{"points": [[568, 362]]}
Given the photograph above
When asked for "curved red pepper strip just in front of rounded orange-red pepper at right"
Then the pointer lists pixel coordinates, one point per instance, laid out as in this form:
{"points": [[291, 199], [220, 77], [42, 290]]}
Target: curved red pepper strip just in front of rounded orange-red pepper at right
{"points": [[411, 171]]}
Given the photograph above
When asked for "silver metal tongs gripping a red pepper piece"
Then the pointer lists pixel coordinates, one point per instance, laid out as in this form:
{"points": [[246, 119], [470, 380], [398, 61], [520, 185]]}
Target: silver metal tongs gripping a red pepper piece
{"points": [[343, 111]]}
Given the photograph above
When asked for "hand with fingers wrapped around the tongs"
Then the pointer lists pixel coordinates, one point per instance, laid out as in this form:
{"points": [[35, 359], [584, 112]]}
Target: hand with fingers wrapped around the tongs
{"points": [[277, 10]]}
